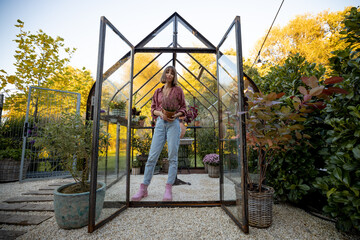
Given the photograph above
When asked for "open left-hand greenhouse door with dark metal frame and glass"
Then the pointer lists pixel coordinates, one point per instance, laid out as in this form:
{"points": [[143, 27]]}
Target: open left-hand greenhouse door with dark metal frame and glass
{"points": [[114, 77]]}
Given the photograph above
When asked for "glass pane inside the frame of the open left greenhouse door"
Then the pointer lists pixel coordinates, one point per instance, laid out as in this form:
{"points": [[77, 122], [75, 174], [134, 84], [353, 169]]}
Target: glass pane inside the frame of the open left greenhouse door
{"points": [[114, 114]]}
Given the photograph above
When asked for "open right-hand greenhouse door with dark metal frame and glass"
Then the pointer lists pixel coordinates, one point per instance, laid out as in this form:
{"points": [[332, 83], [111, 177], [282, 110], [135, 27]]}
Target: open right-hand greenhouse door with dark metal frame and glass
{"points": [[233, 194]]}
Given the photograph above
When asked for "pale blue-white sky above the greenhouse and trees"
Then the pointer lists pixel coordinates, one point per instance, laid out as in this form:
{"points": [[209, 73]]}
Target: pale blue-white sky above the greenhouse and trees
{"points": [[78, 21]]}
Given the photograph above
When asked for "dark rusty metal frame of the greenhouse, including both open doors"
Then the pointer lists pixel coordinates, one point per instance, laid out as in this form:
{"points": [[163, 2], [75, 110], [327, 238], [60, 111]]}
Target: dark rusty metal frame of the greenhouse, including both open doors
{"points": [[93, 106]]}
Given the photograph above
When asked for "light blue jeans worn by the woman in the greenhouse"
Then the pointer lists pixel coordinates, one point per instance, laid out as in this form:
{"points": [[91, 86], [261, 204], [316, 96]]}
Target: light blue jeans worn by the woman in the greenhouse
{"points": [[169, 131]]}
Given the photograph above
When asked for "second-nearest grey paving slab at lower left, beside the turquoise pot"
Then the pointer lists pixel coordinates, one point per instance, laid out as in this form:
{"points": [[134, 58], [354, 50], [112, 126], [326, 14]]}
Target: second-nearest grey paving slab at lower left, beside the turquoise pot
{"points": [[21, 219]]}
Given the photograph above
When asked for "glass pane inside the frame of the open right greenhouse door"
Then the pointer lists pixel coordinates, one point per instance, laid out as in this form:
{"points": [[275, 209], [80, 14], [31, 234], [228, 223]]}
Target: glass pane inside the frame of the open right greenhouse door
{"points": [[229, 89]]}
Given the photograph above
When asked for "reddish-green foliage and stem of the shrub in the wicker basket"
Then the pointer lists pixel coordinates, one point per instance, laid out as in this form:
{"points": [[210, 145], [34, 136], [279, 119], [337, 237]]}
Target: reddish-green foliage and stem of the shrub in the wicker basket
{"points": [[272, 127]]}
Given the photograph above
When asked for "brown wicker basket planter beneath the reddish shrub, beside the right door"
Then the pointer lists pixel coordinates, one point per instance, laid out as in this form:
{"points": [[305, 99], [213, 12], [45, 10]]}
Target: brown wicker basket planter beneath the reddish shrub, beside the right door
{"points": [[260, 207]]}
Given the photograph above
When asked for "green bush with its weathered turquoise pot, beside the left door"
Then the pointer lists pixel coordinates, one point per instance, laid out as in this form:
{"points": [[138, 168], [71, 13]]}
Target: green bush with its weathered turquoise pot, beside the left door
{"points": [[69, 140]]}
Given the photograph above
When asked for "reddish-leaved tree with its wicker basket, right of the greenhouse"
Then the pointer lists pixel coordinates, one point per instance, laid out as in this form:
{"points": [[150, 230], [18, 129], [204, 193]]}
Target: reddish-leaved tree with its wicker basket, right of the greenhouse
{"points": [[274, 125]]}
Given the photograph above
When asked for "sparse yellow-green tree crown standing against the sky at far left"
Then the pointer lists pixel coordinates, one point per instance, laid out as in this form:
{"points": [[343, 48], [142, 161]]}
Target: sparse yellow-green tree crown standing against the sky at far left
{"points": [[37, 59]]}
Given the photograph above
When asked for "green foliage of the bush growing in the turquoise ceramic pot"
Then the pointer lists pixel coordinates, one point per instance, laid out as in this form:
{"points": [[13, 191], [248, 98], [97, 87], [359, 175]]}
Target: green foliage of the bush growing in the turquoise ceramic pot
{"points": [[68, 138]]}
